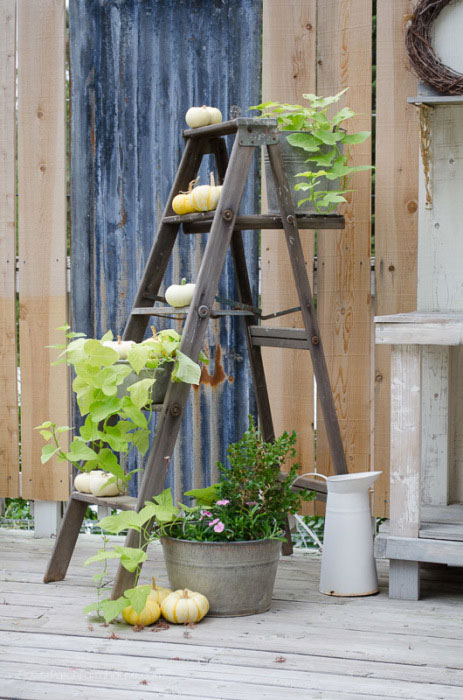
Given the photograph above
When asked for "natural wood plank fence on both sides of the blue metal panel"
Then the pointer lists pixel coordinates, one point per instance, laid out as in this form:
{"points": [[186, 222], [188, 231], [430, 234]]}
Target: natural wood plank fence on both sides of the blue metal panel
{"points": [[317, 46]]}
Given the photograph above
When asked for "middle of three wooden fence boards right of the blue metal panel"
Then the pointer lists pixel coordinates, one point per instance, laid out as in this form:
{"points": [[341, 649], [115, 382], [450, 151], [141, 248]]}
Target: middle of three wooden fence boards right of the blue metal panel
{"points": [[344, 40]]}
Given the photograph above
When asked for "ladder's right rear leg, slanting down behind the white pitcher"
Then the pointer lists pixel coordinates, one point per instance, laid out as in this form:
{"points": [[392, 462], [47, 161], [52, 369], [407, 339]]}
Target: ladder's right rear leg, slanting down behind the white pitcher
{"points": [[307, 309]]}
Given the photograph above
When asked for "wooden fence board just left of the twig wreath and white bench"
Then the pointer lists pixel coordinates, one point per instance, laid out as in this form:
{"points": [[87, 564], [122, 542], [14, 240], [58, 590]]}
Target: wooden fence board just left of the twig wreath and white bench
{"points": [[395, 208]]}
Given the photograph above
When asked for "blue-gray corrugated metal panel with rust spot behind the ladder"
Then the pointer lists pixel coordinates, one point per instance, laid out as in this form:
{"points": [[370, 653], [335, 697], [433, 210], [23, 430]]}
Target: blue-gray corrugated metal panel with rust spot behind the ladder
{"points": [[136, 68]]}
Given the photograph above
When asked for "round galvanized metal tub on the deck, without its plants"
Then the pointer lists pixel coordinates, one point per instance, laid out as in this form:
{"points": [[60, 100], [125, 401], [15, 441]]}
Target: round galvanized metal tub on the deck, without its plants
{"points": [[236, 577]]}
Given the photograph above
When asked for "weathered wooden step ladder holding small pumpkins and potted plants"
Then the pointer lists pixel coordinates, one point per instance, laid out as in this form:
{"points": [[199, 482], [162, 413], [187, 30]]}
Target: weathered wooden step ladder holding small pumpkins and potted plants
{"points": [[224, 226]]}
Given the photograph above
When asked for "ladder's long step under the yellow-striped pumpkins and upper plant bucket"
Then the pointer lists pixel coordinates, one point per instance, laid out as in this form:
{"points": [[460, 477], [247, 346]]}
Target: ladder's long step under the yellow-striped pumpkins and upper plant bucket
{"points": [[201, 222]]}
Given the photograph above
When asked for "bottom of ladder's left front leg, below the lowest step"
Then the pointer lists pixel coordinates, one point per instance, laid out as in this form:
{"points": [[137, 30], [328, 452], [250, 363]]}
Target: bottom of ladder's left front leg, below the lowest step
{"points": [[66, 541]]}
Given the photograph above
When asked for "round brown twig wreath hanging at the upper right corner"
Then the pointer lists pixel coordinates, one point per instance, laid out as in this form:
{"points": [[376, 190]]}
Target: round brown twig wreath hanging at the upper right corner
{"points": [[421, 53]]}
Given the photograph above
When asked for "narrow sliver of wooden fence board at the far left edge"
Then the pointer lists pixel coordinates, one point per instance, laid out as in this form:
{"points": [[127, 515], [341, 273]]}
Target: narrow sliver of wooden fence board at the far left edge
{"points": [[9, 451]]}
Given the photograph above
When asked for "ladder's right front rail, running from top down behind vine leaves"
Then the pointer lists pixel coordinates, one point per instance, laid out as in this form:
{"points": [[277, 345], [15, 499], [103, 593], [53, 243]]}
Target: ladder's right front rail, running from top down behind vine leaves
{"points": [[194, 331]]}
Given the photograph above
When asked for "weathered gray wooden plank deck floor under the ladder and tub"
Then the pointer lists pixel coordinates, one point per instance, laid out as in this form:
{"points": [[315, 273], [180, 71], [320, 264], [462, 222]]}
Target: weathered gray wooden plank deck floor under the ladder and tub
{"points": [[307, 646]]}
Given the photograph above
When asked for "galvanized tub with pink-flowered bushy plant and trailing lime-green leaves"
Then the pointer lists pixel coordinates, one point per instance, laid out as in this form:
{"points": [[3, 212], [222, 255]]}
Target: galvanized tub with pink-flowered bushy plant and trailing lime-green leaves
{"points": [[227, 545]]}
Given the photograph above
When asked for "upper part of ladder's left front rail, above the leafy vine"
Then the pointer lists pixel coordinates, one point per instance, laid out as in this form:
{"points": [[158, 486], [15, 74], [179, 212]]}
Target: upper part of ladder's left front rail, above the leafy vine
{"points": [[164, 242]]}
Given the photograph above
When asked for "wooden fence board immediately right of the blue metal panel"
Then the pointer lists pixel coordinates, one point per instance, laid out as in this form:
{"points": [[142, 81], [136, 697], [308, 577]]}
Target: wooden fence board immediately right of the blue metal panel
{"points": [[288, 71]]}
